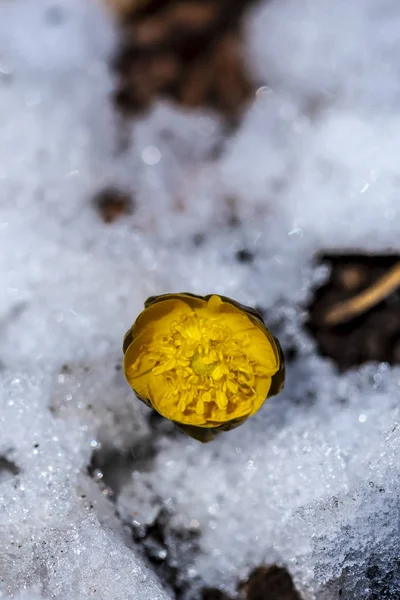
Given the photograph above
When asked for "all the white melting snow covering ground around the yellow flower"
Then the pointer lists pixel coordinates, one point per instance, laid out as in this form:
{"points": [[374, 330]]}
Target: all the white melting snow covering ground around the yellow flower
{"points": [[313, 480]]}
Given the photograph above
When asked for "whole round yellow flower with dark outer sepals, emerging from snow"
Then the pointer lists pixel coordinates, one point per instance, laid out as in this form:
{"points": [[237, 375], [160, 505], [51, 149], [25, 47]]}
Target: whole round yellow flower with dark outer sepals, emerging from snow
{"points": [[206, 363]]}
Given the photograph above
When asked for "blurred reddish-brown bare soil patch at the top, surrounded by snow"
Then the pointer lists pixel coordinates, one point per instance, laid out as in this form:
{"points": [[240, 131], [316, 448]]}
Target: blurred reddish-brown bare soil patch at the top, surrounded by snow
{"points": [[189, 51]]}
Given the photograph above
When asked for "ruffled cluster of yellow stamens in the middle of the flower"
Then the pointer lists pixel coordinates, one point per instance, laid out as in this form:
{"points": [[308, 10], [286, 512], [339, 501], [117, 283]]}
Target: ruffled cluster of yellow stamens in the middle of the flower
{"points": [[203, 369]]}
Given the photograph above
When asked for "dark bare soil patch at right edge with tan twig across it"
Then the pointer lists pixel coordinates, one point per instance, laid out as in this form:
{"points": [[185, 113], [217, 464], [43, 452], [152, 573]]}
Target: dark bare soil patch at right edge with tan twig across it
{"points": [[355, 316]]}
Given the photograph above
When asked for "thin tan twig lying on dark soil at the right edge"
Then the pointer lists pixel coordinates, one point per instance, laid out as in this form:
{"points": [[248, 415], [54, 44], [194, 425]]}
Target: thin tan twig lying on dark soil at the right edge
{"points": [[347, 310]]}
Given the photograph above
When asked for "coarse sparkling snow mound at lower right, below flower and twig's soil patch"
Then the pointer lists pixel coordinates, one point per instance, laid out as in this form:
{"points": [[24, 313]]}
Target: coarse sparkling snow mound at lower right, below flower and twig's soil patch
{"points": [[305, 484]]}
